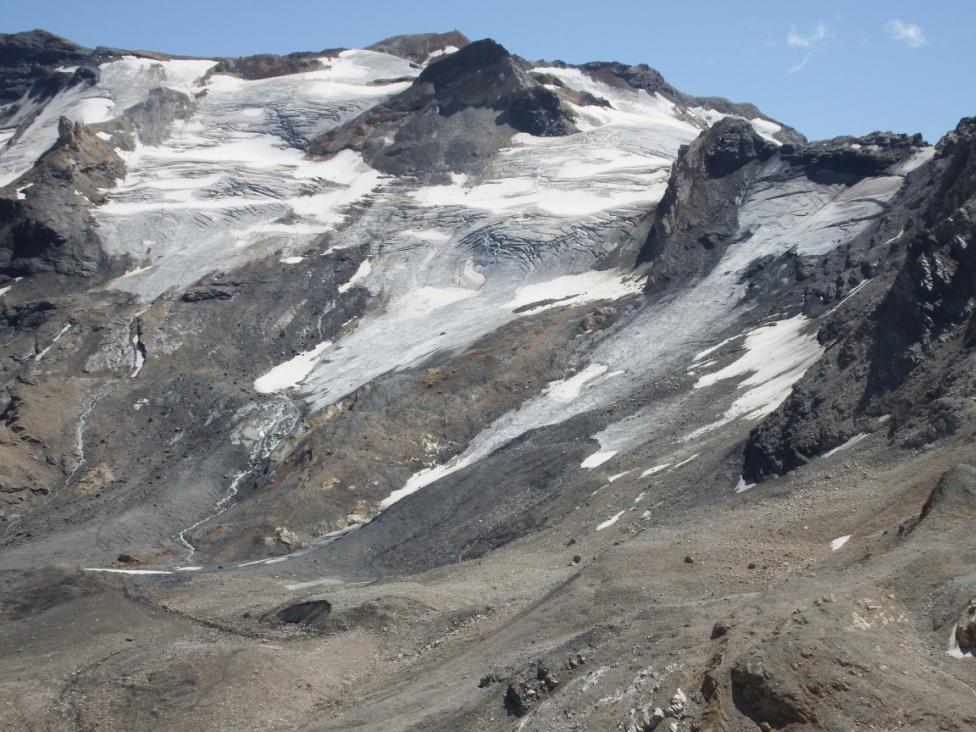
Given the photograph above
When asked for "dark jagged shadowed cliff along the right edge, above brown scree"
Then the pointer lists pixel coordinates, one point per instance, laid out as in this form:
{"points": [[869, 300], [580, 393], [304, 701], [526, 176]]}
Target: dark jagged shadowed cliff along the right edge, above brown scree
{"points": [[890, 359]]}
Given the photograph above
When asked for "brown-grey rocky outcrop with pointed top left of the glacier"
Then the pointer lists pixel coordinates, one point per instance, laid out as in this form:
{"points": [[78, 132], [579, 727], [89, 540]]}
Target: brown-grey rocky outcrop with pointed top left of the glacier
{"points": [[52, 229]]}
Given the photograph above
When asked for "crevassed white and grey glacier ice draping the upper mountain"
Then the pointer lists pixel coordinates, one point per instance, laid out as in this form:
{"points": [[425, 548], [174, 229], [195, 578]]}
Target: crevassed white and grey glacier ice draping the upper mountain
{"points": [[218, 180]]}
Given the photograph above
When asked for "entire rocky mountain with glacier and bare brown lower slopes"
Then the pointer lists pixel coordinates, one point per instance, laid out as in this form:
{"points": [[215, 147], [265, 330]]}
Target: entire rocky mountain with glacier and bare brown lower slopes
{"points": [[427, 386]]}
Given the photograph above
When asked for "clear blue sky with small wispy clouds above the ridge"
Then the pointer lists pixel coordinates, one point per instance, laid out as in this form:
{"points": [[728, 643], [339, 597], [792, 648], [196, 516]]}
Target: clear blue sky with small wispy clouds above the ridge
{"points": [[827, 68]]}
